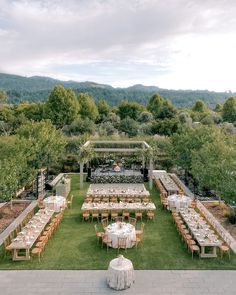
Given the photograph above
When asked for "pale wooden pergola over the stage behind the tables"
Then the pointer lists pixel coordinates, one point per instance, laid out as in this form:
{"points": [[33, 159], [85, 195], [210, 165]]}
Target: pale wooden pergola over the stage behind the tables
{"points": [[122, 147]]}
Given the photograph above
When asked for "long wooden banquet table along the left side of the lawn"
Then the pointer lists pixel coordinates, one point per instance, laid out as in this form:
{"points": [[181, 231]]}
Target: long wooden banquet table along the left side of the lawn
{"points": [[29, 234]]}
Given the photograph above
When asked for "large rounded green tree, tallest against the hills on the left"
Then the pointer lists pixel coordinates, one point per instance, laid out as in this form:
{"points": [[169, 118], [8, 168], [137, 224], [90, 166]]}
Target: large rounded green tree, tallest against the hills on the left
{"points": [[62, 106]]}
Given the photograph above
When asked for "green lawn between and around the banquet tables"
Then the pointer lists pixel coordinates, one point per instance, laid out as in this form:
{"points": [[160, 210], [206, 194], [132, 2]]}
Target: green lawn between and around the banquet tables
{"points": [[74, 245]]}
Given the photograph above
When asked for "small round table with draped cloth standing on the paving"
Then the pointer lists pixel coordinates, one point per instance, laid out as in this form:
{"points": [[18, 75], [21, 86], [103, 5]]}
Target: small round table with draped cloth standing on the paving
{"points": [[120, 274]]}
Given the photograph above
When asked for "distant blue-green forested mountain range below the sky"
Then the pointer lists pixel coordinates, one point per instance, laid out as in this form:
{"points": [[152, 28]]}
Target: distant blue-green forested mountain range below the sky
{"points": [[37, 88]]}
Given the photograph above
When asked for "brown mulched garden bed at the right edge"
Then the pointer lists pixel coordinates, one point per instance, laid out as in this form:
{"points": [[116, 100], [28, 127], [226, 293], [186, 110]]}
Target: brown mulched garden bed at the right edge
{"points": [[218, 211]]}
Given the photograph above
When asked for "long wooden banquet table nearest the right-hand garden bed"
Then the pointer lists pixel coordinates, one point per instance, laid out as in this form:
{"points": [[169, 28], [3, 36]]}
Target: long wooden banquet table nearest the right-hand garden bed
{"points": [[202, 232]]}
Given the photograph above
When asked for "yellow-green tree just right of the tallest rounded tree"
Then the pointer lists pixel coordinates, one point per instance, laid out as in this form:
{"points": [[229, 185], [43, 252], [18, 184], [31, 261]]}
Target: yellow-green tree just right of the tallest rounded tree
{"points": [[88, 108]]}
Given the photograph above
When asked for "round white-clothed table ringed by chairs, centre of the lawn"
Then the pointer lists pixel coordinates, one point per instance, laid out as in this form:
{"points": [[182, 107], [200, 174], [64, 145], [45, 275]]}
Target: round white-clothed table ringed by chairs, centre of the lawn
{"points": [[121, 230]]}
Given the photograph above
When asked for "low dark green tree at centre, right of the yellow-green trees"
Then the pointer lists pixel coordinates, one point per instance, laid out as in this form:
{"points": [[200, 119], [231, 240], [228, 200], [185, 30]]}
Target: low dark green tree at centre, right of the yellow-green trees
{"points": [[129, 109]]}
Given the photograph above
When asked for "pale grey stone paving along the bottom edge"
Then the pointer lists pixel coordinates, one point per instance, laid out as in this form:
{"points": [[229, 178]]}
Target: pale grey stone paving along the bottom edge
{"points": [[94, 282]]}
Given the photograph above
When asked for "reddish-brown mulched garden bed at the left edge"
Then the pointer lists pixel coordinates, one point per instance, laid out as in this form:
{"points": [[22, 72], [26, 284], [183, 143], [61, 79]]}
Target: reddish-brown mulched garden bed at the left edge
{"points": [[7, 215]]}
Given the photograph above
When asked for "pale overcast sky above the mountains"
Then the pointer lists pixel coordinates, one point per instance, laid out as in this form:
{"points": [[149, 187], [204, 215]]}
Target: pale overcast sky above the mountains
{"points": [[175, 44]]}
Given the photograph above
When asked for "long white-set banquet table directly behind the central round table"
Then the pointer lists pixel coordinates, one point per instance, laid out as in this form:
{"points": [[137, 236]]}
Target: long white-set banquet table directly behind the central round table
{"points": [[118, 206]]}
